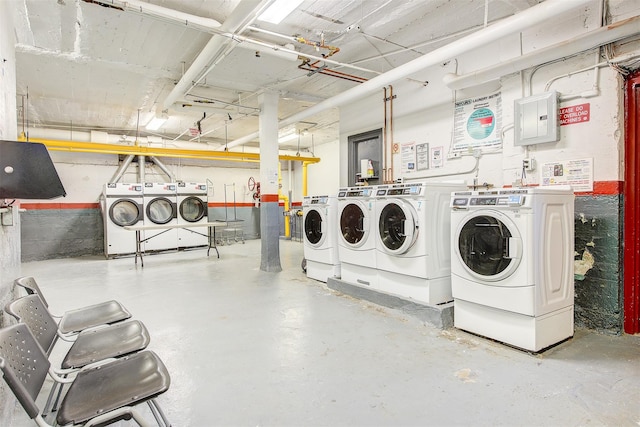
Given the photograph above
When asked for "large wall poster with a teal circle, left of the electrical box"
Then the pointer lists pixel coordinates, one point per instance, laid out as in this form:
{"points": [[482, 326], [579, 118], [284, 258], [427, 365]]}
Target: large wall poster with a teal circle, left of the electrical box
{"points": [[477, 122]]}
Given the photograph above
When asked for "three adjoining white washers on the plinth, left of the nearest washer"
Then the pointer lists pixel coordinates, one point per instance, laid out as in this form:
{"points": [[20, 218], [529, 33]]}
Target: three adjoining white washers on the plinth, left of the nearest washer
{"points": [[392, 238]]}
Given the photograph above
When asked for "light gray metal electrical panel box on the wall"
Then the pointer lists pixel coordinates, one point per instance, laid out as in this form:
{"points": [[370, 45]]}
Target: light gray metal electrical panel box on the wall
{"points": [[536, 119]]}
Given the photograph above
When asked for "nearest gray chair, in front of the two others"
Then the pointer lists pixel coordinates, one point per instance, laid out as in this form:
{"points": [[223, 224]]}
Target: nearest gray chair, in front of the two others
{"points": [[98, 395]]}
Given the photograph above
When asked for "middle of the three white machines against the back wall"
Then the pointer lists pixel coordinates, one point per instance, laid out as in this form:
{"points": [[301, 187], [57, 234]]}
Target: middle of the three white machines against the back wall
{"points": [[160, 208]]}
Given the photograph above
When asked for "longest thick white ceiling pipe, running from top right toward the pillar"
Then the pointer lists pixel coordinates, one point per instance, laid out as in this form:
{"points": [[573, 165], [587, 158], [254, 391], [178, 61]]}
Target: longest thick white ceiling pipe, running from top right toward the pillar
{"points": [[518, 22]]}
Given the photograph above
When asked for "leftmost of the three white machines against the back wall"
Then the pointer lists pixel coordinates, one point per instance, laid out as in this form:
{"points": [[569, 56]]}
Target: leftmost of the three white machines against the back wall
{"points": [[122, 205]]}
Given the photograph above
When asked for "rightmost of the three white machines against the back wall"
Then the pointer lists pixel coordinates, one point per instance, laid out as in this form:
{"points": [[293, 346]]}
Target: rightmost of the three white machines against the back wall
{"points": [[193, 208]]}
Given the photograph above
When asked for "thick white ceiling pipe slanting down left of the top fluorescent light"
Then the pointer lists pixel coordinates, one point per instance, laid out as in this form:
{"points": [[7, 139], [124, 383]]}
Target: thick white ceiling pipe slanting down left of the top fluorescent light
{"points": [[214, 47]]}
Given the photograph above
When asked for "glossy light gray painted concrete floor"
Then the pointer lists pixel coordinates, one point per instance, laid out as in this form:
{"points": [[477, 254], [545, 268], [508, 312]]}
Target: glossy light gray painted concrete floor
{"points": [[249, 348]]}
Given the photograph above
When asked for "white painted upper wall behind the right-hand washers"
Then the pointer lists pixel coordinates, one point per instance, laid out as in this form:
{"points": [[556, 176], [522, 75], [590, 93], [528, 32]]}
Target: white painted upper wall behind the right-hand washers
{"points": [[424, 112]]}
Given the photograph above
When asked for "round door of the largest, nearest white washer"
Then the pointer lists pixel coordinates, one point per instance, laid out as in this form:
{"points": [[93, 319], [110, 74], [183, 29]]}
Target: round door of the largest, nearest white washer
{"points": [[489, 245]]}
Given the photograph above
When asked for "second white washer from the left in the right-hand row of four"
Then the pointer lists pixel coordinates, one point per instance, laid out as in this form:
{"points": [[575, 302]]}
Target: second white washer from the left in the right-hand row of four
{"points": [[356, 235]]}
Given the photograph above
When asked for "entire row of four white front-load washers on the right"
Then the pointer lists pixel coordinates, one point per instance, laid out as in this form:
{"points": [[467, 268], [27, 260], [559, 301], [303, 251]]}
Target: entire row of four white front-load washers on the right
{"points": [[504, 256]]}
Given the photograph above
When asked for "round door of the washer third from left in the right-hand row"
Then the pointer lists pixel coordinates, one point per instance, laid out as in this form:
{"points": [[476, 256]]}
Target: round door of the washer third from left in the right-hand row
{"points": [[397, 227]]}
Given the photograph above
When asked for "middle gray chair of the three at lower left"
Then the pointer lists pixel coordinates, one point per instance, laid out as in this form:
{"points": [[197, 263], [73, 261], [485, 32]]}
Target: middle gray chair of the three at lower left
{"points": [[89, 346]]}
